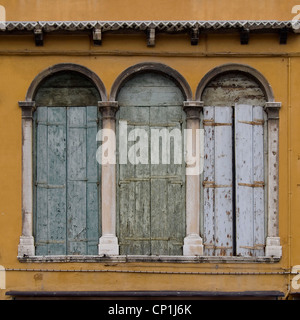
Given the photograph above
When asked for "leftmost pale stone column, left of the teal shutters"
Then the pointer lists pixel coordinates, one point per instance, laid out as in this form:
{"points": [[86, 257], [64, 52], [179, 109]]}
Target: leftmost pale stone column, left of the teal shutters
{"points": [[26, 246]]}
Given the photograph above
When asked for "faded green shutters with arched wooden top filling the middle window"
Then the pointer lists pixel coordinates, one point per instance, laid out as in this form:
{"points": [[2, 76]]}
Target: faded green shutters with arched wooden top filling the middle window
{"points": [[151, 197]]}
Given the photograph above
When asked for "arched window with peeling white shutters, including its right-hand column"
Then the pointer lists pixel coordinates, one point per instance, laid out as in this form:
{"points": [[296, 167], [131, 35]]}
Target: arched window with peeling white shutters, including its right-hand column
{"points": [[237, 207]]}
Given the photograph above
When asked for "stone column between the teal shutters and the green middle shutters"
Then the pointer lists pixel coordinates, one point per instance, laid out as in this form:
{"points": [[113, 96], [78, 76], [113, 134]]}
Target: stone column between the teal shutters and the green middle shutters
{"points": [[108, 243]]}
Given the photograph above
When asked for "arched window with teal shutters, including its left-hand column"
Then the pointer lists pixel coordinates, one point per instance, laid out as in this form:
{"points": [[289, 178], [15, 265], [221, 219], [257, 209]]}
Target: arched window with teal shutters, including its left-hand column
{"points": [[66, 196]]}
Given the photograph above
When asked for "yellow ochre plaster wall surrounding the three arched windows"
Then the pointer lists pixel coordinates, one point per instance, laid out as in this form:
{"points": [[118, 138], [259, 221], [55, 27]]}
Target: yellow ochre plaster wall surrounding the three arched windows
{"points": [[21, 61]]}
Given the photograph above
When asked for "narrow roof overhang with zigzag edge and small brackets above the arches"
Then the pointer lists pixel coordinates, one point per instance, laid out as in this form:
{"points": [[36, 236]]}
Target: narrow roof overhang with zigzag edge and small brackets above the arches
{"points": [[193, 28]]}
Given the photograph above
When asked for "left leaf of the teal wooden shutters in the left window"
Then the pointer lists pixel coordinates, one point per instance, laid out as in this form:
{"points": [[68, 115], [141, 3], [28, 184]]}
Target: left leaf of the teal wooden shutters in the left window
{"points": [[51, 181]]}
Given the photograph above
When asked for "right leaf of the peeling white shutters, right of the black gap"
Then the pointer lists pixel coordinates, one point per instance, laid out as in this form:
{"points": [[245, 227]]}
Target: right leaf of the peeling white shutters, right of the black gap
{"points": [[249, 159]]}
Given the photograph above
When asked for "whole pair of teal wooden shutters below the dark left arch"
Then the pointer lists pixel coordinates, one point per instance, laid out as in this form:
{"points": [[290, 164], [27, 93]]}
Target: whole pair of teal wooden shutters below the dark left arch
{"points": [[67, 181]]}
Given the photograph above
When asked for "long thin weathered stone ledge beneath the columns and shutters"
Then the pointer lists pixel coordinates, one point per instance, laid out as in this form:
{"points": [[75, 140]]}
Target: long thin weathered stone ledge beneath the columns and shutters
{"points": [[140, 258]]}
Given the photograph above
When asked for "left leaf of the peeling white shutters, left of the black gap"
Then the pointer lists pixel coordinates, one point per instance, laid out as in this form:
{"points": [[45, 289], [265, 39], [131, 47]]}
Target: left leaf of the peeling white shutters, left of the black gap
{"points": [[218, 181]]}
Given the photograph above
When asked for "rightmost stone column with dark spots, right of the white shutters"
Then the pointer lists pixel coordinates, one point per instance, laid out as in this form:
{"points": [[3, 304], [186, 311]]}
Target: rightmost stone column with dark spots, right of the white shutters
{"points": [[273, 247]]}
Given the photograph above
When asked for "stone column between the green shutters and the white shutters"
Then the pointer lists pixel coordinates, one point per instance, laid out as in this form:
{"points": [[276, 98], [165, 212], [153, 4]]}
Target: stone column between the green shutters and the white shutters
{"points": [[193, 244]]}
